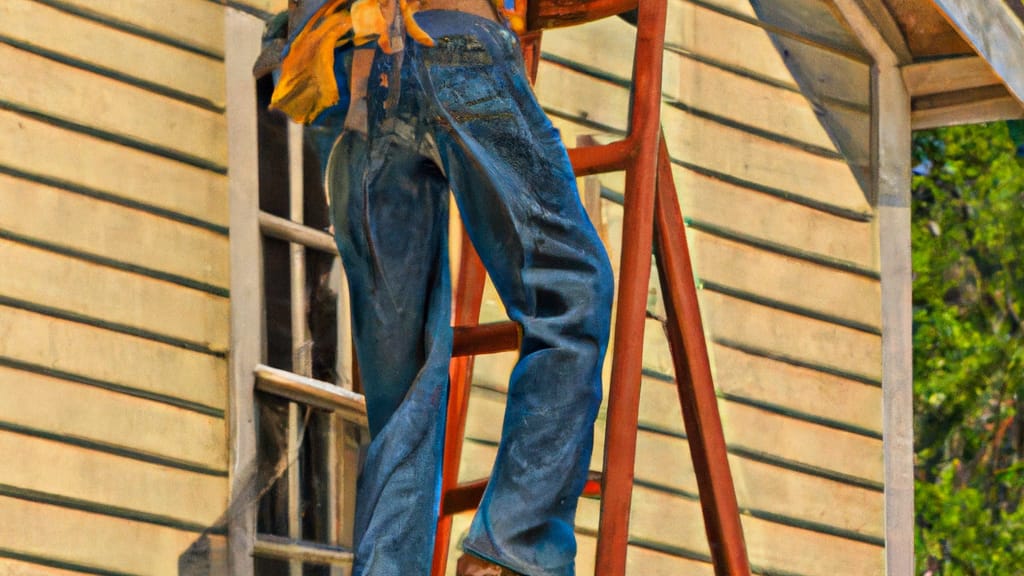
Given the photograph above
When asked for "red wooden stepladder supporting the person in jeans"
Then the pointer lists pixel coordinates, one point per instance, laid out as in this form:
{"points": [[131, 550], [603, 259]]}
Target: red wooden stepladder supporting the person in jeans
{"points": [[653, 221]]}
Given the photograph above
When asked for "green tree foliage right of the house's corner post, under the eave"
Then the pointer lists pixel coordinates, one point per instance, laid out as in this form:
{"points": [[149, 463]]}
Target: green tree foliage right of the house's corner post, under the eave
{"points": [[968, 239]]}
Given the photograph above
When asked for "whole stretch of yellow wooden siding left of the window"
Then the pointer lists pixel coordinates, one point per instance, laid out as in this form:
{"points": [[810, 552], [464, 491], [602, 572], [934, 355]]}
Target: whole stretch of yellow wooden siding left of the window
{"points": [[114, 300]]}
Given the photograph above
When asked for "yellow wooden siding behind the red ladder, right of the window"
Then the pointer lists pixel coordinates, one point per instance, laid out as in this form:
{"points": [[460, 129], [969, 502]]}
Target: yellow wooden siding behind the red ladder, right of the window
{"points": [[772, 159]]}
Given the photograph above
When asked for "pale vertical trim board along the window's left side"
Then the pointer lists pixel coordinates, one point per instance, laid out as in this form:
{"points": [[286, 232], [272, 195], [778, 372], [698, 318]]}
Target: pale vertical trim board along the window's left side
{"points": [[242, 33]]}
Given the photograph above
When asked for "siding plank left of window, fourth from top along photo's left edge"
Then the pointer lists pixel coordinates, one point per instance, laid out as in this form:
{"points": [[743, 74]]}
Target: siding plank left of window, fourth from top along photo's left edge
{"points": [[111, 232]]}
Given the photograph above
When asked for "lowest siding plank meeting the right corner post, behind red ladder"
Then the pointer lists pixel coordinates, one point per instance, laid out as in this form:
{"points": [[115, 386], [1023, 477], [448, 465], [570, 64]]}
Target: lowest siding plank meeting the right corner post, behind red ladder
{"points": [[773, 547]]}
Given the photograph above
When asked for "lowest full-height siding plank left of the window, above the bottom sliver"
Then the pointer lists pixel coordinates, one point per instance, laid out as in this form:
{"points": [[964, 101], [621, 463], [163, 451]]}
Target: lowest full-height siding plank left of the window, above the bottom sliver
{"points": [[91, 540]]}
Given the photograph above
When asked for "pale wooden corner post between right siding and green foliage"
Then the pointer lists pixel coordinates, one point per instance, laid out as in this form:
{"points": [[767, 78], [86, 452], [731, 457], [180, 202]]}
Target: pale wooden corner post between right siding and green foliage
{"points": [[891, 180]]}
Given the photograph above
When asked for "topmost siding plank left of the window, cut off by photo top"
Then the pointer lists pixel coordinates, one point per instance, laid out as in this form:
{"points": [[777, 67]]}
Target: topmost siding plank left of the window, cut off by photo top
{"points": [[190, 23]]}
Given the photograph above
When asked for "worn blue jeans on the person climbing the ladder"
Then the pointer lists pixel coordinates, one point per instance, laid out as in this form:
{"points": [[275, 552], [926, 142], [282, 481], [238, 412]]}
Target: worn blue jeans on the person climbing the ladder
{"points": [[463, 116]]}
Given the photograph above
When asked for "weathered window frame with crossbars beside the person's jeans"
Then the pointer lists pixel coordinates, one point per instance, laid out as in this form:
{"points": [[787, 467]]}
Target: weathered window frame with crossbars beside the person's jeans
{"points": [[248, 373]]}
